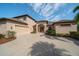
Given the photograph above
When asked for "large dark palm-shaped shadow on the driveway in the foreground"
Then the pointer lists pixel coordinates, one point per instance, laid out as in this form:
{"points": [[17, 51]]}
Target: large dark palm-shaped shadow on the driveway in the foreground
{"points": [[46, 49]]}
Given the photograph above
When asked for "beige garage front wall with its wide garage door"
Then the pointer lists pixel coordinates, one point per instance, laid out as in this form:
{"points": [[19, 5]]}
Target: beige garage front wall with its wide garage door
{"points": [[17, 27]]}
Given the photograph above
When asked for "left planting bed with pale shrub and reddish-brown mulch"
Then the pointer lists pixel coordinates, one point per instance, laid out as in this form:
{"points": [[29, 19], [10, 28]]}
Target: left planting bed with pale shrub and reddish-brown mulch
{"points": [[10, 36]]}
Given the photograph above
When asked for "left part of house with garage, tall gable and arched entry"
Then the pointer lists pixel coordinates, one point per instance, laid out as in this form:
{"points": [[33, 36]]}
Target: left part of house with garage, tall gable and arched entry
{"points": [[23, 24]]}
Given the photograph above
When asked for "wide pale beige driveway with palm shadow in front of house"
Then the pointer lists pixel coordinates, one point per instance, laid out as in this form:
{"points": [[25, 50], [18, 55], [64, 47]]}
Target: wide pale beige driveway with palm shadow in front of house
{"points": [[40, 44]]}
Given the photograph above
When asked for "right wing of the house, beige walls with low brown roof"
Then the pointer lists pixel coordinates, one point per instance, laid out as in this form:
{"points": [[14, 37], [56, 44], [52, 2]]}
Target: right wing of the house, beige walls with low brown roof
{"points": [[65, 26]]}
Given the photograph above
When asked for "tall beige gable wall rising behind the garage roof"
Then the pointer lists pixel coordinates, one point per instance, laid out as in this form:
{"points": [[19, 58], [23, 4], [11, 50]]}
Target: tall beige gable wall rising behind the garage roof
{"points": [[29, 21]]}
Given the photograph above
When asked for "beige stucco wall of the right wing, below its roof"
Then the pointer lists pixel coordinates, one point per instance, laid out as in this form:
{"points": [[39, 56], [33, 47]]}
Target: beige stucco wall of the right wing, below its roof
{"points": [[65, 29]]}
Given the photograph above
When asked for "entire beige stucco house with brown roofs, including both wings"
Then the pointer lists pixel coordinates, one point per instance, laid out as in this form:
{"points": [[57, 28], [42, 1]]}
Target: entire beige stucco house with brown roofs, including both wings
{"points": [[25, 24]]}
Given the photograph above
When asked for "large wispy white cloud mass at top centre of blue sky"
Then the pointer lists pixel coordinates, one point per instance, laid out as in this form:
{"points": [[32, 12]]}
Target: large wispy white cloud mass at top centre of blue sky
{"points": [[47, 9]]}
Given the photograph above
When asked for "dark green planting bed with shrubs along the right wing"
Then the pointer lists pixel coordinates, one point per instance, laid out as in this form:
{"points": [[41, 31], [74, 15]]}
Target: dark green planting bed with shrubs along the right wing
{"points": [[72, 34]]}
